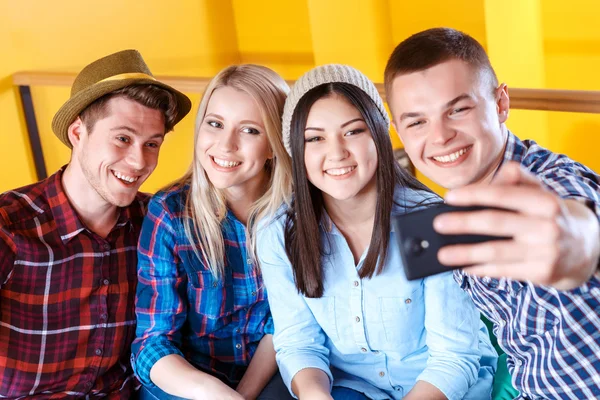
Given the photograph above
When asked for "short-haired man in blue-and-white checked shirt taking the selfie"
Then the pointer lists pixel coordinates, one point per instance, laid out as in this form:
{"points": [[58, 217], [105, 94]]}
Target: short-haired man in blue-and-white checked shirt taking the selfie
{"points": [[541, 289]]}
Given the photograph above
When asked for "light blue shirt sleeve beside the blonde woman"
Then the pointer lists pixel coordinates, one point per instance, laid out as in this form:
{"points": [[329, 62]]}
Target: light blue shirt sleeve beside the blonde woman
{"points": [[299, 340]]}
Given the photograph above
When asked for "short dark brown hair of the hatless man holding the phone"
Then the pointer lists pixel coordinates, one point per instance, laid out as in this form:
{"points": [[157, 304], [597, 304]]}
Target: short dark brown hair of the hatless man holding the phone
{"points": [[434, 46]]}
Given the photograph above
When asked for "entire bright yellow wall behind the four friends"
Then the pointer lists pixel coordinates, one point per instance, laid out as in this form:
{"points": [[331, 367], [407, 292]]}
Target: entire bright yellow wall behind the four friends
{"points": [[199, 37]]}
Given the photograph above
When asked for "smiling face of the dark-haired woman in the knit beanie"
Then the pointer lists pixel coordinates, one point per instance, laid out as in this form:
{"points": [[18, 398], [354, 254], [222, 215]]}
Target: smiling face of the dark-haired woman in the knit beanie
{"points": [[340, 154]]}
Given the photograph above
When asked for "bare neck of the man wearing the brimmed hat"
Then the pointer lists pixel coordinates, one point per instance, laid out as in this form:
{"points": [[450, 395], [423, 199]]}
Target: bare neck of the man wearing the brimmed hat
{"points": [[97, 214]]}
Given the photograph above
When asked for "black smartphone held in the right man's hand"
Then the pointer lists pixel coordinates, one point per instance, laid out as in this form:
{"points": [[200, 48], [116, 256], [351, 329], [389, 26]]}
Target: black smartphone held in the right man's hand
{"points": [[419, 242]]}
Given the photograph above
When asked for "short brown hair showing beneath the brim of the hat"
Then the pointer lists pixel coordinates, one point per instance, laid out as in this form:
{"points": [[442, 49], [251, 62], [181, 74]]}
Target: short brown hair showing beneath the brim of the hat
{"points": [[150, 96]]}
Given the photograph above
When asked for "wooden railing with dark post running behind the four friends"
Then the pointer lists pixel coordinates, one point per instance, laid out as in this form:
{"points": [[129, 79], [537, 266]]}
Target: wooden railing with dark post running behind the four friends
{"points": [[523, 99]]}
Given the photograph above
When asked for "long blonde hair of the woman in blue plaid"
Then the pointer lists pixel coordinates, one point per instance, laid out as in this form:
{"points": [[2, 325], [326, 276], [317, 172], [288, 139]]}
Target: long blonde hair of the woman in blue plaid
{"points": [[205, 206]]}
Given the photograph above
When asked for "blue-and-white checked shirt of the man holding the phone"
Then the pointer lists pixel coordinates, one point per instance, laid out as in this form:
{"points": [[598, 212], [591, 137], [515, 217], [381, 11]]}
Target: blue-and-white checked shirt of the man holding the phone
{"points": [[551, 337]]}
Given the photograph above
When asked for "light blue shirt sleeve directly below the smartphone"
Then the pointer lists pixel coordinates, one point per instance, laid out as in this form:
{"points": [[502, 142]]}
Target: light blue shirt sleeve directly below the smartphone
{"points": [[452, 324]]}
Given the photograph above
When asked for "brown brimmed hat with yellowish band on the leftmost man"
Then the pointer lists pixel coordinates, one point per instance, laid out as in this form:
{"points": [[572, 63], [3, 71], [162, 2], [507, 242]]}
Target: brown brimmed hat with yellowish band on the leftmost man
{"points": [[104, 76]]}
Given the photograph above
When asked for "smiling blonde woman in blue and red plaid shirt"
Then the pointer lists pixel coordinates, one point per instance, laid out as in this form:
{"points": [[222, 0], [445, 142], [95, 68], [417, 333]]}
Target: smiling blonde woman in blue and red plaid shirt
{"points": [[204, 327]]}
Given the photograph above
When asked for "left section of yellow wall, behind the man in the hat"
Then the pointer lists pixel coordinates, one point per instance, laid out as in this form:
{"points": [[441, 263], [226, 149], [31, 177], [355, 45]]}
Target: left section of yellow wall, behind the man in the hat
{"points": [[175, 38]]}
